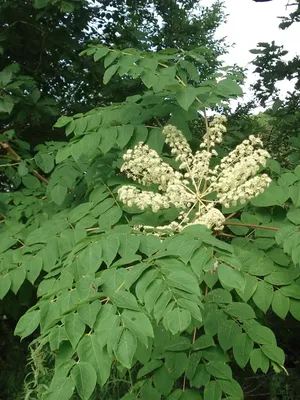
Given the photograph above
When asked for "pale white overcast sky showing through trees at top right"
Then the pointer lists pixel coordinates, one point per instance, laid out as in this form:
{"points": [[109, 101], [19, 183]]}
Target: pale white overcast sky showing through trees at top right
{"points": [[248, 23]]}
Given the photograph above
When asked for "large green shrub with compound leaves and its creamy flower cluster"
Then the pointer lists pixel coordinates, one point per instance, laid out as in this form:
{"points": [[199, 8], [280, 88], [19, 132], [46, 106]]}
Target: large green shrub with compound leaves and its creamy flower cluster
{"points": [[169, 316]]}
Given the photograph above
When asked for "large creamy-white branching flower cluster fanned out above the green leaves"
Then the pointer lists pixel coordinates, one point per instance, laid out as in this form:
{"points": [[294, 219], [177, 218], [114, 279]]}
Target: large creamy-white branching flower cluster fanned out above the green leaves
{"points": [[234, 180]]}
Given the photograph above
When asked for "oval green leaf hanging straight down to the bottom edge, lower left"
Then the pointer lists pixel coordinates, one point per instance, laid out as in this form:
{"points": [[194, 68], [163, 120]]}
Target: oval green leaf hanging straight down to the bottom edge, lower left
{"points": [[85, 378]]}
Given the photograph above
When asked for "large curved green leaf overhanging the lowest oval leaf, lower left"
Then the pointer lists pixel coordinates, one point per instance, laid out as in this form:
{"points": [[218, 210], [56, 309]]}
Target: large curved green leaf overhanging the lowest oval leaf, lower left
{"points": [[90, 351]]}
